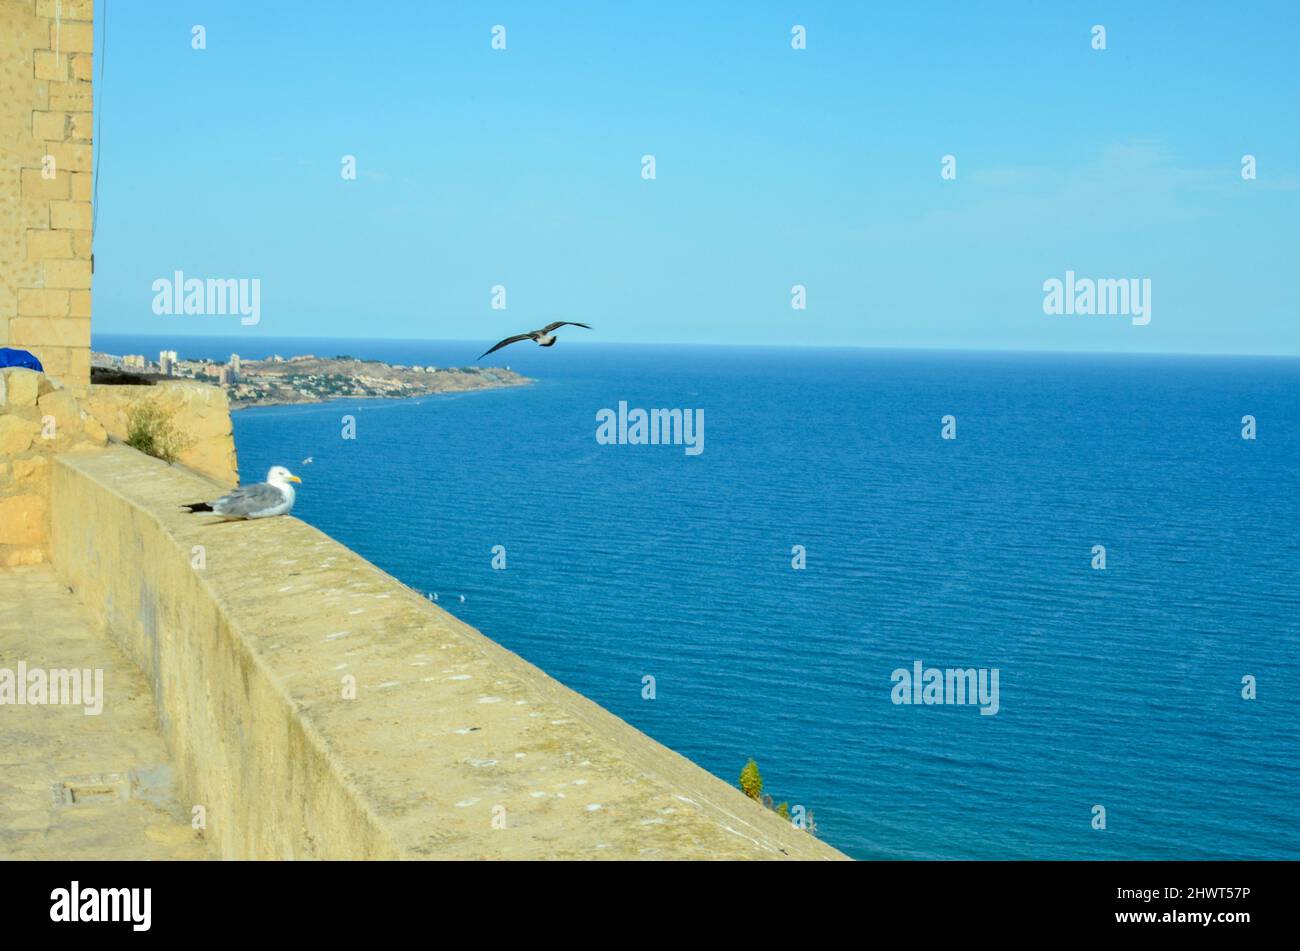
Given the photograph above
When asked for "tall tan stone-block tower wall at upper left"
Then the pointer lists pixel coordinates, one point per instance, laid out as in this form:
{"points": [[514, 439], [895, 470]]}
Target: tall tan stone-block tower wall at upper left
{"points": [[46, 123]]}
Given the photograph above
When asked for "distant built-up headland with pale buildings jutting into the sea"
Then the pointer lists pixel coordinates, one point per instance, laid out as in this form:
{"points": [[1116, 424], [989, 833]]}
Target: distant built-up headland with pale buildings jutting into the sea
{"points": [[306, 379]]}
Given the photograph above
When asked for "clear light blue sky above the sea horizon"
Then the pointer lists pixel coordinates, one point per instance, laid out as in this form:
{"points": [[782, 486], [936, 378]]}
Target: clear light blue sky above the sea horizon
{"points": [[775, 167]]}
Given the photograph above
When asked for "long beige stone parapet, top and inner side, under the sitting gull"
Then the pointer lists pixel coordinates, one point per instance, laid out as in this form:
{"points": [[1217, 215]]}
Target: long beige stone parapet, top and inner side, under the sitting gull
{"points": [[447, 727]]}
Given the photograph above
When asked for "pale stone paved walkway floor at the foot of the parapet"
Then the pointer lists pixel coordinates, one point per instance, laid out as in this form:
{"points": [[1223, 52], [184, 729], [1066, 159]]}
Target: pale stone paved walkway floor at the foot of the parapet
{"points": [[51, 752]]}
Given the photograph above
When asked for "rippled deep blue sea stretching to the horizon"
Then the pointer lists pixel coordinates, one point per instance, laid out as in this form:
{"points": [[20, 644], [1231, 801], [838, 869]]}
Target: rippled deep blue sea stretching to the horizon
{"points": [[1119, 688]]}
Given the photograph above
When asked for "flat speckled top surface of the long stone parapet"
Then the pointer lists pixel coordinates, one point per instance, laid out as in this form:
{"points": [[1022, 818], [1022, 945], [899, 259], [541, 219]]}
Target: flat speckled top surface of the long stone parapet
{"points": [[450, 735]]}
